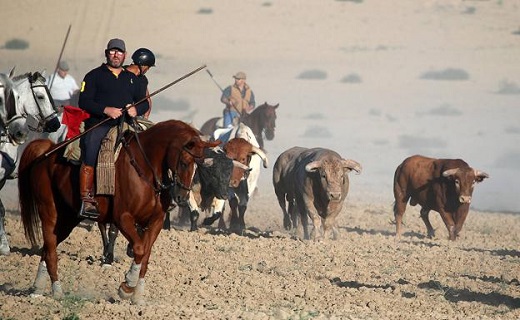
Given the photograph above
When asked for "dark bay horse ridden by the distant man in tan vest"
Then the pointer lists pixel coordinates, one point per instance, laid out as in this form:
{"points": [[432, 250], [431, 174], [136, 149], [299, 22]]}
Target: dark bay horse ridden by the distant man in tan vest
{"points": [[262, 120]]}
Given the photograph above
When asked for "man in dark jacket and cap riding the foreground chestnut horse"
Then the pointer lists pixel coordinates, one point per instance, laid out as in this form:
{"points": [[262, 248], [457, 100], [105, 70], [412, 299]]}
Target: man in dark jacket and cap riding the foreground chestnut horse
{"points": [[105, 92]]}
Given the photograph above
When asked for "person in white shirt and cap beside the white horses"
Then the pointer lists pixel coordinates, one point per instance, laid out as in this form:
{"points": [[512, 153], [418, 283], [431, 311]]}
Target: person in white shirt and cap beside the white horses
{"points": [[62, 87]]}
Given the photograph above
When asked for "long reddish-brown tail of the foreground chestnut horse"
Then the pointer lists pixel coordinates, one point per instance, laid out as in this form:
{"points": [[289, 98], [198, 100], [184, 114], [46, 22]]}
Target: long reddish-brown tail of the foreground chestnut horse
{"points": [[28, 204]]}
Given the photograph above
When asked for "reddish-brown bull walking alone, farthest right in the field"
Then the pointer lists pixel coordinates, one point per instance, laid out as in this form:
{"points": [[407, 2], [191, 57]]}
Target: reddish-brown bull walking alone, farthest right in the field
{"points": [[442, 185]]}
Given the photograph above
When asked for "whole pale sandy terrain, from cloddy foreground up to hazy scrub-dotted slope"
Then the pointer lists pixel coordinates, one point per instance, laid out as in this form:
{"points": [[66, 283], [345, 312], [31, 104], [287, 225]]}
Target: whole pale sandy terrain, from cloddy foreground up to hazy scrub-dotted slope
{"points": [[376, 81]]}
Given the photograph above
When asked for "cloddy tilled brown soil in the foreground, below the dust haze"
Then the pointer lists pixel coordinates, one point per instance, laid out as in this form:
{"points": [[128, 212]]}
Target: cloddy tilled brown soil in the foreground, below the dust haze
{"points": [[268, 273]]}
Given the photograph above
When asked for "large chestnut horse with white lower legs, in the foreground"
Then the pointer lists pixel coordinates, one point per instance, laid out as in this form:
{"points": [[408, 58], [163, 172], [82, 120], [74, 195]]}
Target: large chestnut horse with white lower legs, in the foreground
{"points": [[149, 165]]}
